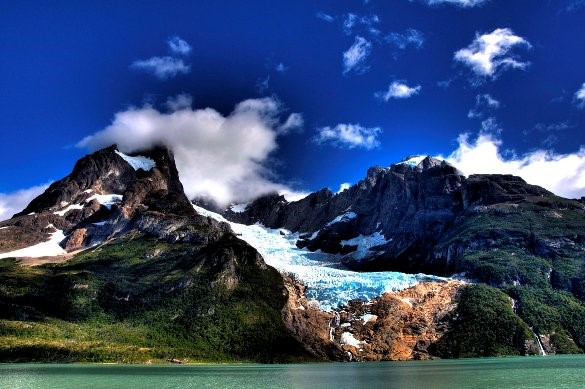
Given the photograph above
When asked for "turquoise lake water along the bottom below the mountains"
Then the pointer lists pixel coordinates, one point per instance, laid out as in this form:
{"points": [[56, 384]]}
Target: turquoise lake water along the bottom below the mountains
{"points": [[510, 373]]}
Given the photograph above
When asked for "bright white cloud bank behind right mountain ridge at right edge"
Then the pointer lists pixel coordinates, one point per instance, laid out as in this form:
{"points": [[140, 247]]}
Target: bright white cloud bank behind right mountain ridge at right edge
{"points": [[562, 174]]}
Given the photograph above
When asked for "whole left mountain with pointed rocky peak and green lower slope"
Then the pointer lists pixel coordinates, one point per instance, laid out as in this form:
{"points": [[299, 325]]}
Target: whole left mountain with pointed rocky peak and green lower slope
{"points": [[154, 280]]}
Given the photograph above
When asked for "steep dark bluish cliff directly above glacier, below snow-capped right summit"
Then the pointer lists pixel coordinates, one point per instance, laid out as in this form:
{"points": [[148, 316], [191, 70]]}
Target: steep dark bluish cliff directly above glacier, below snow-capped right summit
{"points": [[411, 206]]}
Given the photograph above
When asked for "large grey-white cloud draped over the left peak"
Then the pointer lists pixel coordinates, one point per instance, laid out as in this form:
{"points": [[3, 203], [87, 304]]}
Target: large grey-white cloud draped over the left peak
{"points": [[219, 157]]}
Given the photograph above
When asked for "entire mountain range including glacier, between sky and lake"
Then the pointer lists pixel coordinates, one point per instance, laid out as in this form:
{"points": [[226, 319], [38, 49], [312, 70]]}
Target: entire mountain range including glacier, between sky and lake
{"points": [[416, 261]]}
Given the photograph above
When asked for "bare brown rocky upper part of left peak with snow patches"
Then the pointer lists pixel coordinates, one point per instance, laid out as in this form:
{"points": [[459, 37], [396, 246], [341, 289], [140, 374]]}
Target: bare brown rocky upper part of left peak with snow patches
{"points": [[104, 197]]}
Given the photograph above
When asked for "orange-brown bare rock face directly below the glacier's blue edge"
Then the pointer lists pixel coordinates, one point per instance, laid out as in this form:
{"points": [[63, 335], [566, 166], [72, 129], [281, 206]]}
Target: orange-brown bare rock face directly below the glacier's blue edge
{"points": [[394, 326]]}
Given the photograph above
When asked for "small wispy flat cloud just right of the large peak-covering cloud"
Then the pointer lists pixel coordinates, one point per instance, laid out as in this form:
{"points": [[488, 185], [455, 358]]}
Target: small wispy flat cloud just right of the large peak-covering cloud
{"points": [[349, 136]]}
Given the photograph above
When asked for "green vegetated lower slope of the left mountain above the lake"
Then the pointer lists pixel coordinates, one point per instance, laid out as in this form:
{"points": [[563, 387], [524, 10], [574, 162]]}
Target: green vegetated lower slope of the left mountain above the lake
{"points": [[140, 300]]}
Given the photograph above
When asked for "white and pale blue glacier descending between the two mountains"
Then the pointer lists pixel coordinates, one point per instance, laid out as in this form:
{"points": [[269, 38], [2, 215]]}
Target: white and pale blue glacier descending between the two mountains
{"points": [[327, 282]]}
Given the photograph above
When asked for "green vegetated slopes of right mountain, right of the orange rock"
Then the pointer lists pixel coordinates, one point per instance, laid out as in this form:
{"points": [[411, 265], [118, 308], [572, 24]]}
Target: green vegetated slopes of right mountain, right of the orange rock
{"points": [[531, 251]]}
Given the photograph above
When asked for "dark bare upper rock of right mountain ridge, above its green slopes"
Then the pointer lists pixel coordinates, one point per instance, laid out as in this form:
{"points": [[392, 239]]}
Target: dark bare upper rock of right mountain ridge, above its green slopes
{"points": [[413, 207]]}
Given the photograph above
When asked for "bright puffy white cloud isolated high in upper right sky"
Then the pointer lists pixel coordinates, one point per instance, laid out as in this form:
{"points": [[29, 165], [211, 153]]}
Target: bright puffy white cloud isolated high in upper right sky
{"points": [[490, 53]]}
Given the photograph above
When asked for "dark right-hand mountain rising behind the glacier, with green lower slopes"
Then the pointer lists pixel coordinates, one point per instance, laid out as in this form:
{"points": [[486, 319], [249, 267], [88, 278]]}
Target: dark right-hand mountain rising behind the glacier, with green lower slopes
{"points": [[422, 215]]}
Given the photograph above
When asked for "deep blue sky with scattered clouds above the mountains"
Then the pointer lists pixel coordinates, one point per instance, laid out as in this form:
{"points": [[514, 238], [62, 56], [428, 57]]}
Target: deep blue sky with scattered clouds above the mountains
{"points": [[360, 83]]}
